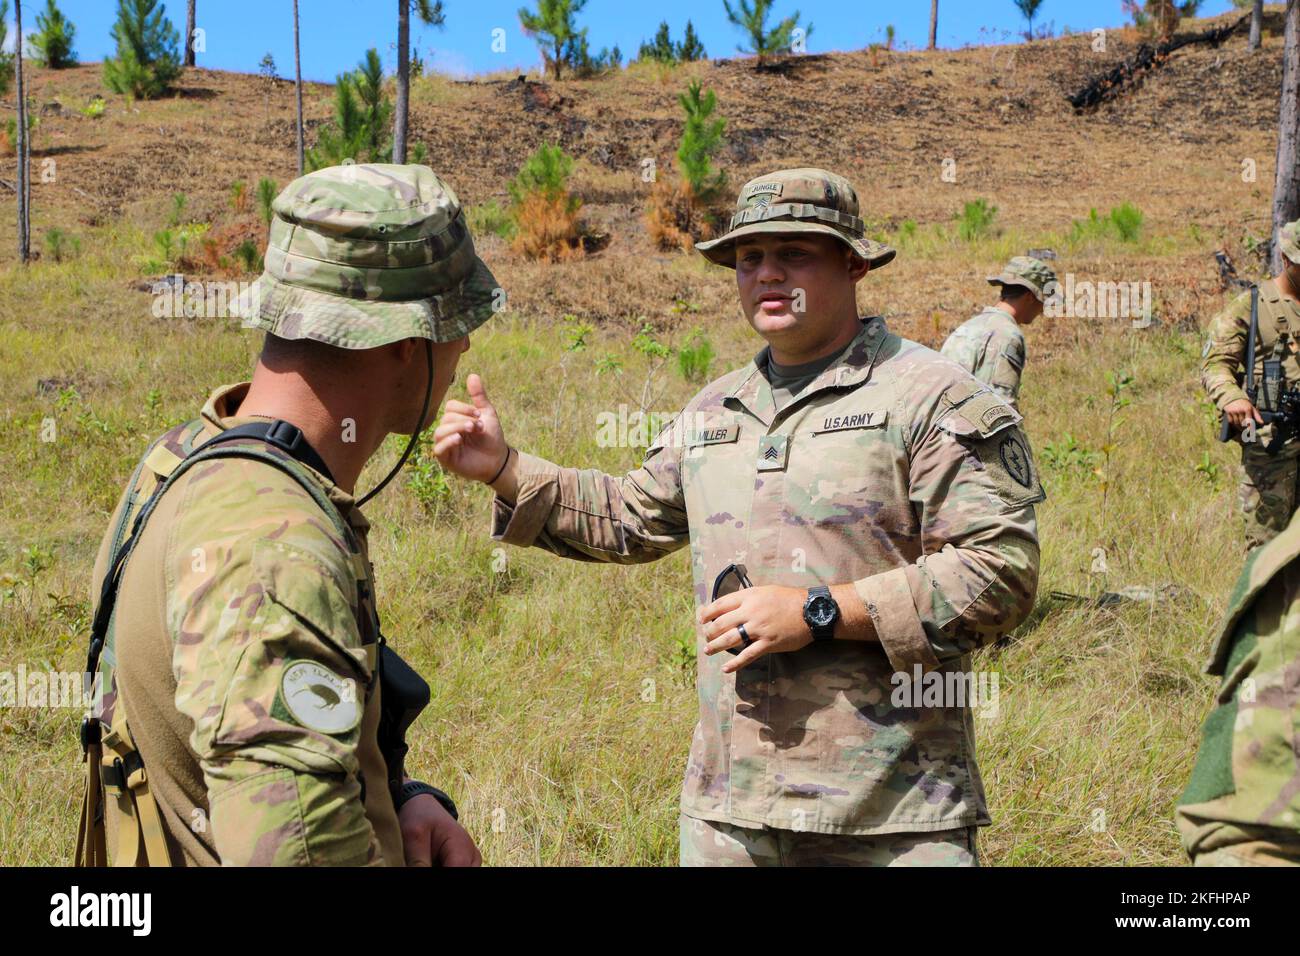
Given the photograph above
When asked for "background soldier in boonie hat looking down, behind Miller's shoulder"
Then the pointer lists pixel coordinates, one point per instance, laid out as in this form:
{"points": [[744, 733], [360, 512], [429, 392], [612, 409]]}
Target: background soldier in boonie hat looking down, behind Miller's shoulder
{"points": [[990, 345]]}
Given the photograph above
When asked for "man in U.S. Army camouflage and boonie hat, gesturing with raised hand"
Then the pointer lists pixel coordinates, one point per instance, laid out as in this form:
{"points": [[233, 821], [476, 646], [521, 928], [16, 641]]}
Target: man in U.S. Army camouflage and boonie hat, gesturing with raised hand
{"points": [[860, 513]]}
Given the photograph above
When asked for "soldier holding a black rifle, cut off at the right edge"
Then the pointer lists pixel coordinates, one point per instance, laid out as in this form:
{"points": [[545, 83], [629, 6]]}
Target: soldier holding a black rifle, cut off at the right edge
{"points": [[1268, 490]]}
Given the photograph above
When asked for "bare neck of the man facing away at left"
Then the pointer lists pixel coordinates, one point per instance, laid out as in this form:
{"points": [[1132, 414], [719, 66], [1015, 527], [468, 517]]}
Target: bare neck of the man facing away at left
{"points": [[344, 434]]}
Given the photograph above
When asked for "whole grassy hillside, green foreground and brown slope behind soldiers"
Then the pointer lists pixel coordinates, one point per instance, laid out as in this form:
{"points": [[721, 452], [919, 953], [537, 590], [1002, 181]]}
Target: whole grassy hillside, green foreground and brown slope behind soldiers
{"points": [[544, 725]]}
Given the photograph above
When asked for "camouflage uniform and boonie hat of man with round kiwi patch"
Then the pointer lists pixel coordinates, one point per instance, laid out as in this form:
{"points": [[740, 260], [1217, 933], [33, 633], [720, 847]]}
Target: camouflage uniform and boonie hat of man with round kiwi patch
{"points": [[245, 639]]}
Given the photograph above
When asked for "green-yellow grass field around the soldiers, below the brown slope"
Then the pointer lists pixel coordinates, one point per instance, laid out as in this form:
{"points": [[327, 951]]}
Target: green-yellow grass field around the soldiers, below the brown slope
{"points": [[564, 694]]}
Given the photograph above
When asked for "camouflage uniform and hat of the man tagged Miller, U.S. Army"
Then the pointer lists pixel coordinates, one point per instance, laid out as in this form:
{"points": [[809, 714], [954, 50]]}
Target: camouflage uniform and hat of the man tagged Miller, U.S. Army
{"points": [[892, 470]]}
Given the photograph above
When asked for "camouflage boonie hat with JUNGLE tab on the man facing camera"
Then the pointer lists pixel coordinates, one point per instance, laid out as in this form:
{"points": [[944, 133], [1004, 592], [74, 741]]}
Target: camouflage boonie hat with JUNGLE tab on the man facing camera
{"points": [[798, 201]]}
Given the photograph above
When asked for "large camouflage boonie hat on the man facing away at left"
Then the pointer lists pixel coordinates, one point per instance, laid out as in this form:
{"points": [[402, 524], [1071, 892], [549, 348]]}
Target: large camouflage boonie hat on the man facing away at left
{"points": [[365, 256]]}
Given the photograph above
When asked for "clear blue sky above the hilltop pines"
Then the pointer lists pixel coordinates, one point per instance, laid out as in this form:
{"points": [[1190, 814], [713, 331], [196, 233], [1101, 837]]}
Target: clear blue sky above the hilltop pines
{"points": [[337, 33]]}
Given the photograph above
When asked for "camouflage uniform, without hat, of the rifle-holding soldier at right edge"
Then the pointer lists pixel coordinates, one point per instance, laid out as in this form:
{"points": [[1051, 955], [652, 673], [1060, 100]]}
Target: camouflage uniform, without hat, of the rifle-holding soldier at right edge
{"points": [[1268, 486]]}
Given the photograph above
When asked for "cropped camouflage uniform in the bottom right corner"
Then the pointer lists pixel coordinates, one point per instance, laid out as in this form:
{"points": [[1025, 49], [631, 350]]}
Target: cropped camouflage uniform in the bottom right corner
{"points": [[1242, 806]]}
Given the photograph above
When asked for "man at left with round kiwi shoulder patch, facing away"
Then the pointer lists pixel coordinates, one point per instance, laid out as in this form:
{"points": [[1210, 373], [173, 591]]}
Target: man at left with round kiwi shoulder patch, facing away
{"points": [[237, 622]]}
